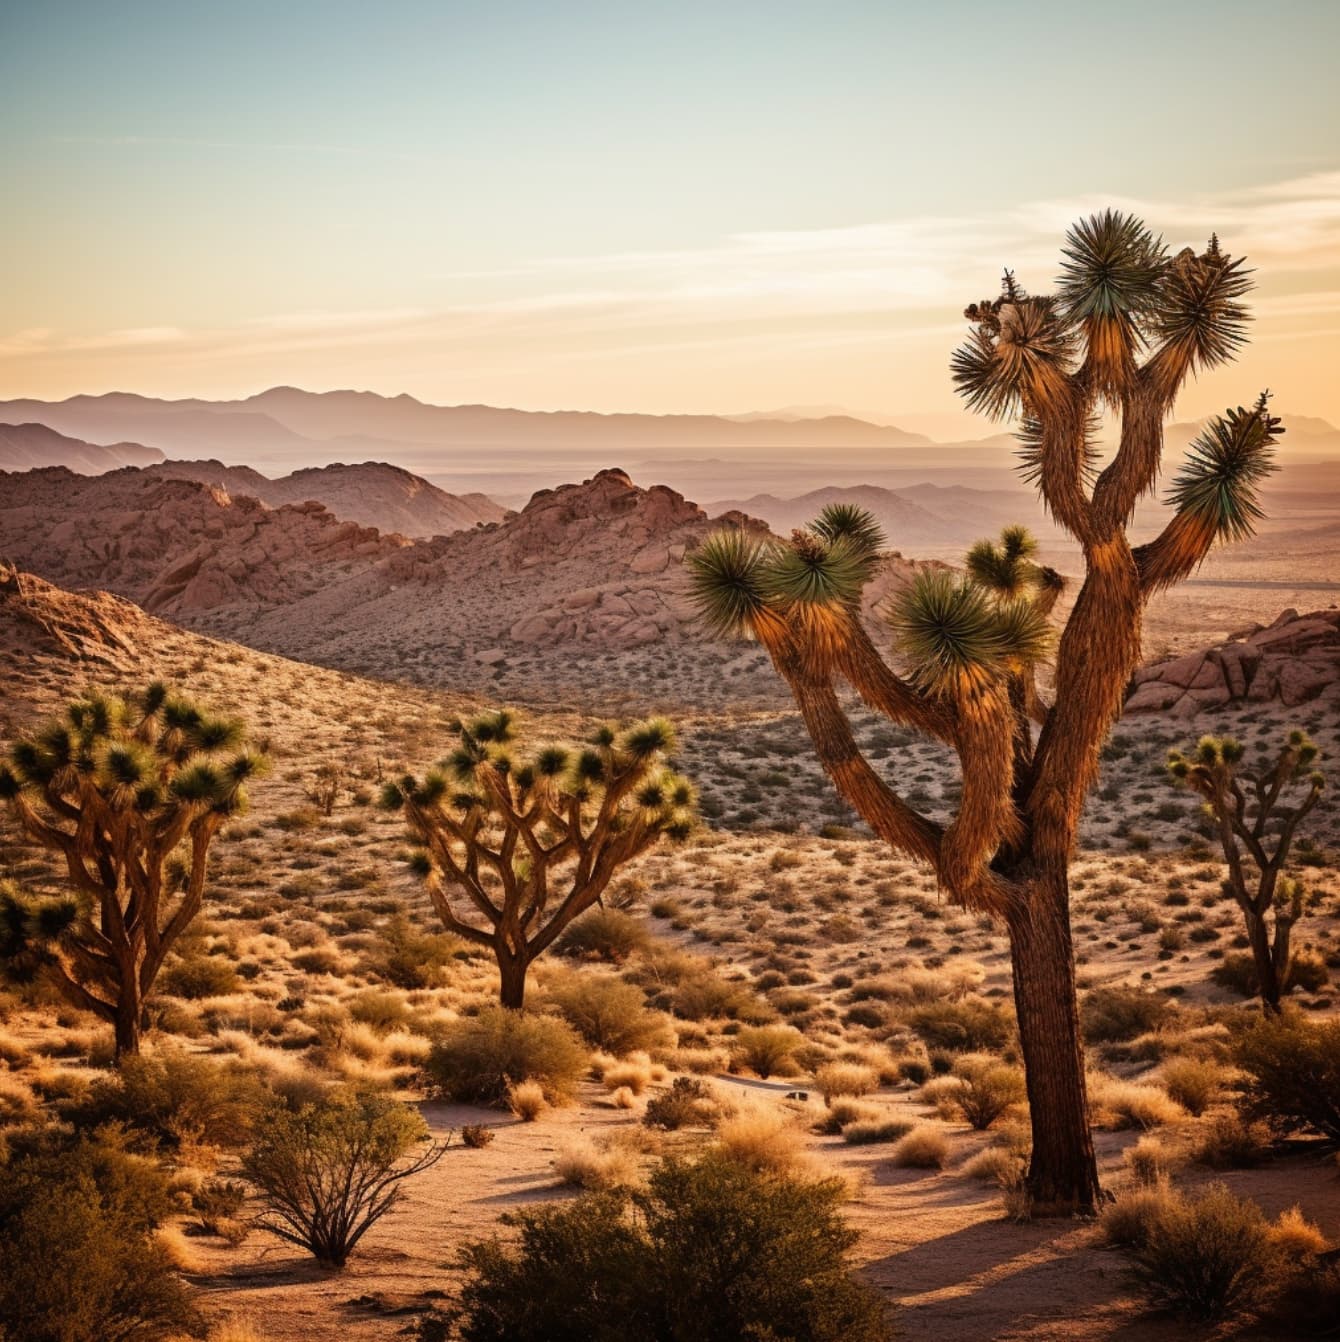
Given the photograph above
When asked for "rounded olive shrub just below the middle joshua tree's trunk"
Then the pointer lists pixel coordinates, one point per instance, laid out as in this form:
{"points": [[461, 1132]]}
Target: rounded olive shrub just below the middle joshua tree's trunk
{"points": [[482, 1057]]}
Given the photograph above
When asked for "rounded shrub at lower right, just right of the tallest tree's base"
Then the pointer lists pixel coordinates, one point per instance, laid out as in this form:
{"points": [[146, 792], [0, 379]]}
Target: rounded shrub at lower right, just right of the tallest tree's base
{"points": [[1208, 1257]]}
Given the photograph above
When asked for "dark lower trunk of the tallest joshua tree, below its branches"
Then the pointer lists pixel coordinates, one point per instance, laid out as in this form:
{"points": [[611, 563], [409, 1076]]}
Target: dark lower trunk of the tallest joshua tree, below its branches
{"points": [[1063, 1172]]}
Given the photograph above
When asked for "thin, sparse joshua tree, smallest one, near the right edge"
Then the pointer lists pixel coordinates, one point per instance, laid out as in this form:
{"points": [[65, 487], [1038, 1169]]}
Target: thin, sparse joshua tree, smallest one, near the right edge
{"points": [[1256, 831]]}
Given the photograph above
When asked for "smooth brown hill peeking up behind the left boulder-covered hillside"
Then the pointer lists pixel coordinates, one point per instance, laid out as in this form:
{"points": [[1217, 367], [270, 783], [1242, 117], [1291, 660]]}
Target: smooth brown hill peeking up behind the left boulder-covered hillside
{"points": [[370, 493]]}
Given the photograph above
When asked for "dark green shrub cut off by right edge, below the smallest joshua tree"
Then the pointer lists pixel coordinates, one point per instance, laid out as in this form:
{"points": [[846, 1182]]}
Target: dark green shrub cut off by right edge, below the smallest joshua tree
{"points": [[1292, 1074]]}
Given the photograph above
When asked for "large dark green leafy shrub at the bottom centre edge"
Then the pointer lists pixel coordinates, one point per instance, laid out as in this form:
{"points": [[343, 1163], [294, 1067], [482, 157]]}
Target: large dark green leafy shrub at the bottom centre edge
{"points": [[631, 1266]]}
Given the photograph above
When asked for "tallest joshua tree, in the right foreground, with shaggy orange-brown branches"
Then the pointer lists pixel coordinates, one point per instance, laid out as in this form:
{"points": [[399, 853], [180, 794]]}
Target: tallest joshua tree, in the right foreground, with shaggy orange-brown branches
{"points": [[1125, 328]]}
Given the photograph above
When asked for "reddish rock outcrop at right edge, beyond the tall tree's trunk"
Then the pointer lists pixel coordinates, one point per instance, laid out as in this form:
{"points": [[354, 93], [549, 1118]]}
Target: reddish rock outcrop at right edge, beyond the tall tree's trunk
{"points": [[1291, 662]]}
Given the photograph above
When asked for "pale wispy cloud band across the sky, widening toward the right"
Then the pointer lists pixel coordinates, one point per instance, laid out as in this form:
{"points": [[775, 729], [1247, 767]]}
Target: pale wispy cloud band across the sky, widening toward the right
{"points": [[855, 288]]}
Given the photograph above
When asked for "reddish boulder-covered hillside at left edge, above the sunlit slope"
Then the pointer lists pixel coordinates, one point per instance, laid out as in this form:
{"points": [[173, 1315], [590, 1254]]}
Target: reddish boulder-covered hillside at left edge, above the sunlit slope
{"points": [[179, 548]]}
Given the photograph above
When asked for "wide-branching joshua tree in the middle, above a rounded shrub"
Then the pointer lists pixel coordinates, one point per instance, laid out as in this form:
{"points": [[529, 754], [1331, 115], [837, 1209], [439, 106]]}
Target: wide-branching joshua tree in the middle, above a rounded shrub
{"points": [[512, 853]]}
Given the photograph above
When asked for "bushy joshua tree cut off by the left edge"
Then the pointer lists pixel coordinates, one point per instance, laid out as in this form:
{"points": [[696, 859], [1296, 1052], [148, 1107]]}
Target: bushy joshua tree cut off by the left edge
{"points": [[129, 795]]}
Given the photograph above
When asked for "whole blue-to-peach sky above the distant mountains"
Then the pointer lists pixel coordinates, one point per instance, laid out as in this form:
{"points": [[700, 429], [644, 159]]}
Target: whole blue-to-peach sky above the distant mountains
{"points": [[638, 206]]}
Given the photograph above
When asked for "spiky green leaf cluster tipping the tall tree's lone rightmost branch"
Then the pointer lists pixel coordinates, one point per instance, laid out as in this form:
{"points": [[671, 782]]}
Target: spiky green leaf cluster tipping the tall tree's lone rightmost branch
{"points": [[1217, 485]]}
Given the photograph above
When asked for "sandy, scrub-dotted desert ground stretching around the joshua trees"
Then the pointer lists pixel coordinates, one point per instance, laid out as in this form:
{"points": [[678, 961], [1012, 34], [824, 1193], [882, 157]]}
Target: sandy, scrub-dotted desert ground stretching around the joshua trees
{"points": [[777, 909]]}
